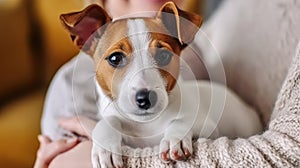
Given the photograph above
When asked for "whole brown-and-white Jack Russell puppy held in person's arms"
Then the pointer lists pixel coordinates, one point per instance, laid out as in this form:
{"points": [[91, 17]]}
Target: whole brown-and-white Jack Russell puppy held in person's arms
{"points": [[141, 99]]}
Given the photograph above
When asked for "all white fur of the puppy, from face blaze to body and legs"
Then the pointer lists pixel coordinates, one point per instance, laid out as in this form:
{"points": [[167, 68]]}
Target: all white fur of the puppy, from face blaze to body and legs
{"points": [[192, 109]]}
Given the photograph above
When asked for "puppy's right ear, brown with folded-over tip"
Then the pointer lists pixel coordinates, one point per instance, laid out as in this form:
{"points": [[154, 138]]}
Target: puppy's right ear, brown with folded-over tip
{"points": [[181, 24]]}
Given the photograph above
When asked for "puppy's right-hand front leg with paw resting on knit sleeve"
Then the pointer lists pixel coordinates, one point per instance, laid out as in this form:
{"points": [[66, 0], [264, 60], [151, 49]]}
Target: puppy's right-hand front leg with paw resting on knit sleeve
{"points": [[177, 142]]}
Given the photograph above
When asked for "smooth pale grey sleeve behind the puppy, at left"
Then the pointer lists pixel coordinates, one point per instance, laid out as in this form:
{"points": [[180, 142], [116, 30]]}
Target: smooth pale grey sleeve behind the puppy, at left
{"points": [[71, 93]]}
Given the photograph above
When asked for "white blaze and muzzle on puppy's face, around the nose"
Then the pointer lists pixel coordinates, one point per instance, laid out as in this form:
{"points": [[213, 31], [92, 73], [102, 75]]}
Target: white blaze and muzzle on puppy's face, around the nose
{"points": [[142, 74]]}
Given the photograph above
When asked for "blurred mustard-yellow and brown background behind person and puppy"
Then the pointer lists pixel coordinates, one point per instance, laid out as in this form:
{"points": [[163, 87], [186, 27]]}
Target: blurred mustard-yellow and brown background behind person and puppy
{"points": [[33, 45]]}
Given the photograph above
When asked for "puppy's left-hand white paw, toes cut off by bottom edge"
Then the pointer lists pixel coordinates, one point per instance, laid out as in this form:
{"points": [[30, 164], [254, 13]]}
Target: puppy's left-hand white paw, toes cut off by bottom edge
{"points": [[106, 158]]}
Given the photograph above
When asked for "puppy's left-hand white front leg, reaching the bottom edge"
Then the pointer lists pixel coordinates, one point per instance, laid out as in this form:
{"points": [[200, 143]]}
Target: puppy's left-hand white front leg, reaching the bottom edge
{"points": [[106, 150]]}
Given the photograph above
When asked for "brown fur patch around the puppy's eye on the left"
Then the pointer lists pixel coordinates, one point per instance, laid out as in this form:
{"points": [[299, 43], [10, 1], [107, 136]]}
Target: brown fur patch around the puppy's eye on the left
{"points": [[114, 40]]}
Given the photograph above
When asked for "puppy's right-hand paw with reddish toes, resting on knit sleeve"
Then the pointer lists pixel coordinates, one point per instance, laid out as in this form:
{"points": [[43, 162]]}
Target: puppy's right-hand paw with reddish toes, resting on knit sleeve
{"points": [[175, 149]]}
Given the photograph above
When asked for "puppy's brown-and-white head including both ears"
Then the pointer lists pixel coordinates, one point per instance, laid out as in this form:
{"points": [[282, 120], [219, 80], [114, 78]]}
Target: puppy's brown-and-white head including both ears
{"points": [[137, 59]]}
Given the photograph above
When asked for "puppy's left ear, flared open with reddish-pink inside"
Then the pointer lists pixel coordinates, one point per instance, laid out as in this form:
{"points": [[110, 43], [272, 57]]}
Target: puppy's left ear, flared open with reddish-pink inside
{"points": [[81, 25]]}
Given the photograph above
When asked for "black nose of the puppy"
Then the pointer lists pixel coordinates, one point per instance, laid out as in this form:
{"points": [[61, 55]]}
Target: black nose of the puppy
{"points": [[145, 99]]}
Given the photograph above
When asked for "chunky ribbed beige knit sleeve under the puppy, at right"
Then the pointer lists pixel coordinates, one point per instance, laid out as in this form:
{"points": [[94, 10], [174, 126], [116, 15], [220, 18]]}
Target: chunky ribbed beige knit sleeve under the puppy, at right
{"points": [[279, 146]]}
